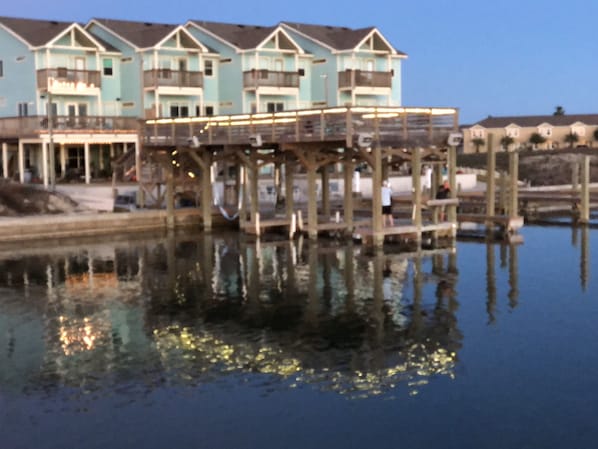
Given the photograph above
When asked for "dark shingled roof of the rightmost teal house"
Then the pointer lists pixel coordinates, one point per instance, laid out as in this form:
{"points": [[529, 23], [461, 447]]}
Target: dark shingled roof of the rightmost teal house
{"points": [[336, 38]]}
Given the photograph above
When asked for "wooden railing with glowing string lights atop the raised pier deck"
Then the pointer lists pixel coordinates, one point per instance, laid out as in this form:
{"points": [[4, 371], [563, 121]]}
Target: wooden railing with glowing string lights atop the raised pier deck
{"points": [[347, 126]]}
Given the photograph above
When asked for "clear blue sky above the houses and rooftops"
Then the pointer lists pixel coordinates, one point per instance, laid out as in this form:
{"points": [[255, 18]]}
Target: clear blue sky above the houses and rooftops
{"points": [[501, 58]]}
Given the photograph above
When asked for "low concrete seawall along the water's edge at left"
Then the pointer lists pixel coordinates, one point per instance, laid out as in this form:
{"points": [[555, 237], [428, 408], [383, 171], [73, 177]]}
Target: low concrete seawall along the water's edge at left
{"points": [[14, 229]]}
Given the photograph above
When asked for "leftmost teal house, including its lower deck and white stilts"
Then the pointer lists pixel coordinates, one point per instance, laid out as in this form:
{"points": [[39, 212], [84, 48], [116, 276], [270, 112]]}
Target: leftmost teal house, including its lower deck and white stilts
{"points": [[56, 89]]}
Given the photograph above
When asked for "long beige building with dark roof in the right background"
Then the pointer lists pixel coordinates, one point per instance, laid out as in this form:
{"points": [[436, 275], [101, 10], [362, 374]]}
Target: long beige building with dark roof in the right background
{"points": [[532, 132]]}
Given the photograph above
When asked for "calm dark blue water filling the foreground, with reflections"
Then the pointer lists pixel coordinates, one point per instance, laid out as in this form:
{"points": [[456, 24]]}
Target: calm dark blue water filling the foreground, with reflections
{"points": [[219, 342]]}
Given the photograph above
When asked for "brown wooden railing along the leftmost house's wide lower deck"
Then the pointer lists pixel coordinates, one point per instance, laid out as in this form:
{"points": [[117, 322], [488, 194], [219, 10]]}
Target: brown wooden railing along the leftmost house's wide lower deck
{"points": [[33, 126]]}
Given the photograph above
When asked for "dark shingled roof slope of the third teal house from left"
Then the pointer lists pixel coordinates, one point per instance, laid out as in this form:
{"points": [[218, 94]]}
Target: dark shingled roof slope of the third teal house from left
{"points": [[244, 37]]}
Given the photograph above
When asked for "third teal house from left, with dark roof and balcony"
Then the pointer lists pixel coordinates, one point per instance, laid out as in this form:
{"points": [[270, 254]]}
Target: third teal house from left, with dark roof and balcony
{"points": [[261, 68]]}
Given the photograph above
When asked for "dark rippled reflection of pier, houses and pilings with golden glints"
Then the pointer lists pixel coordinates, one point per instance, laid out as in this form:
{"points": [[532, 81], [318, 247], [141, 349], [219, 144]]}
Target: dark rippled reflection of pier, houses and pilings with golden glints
{"points": [[190, 310]]}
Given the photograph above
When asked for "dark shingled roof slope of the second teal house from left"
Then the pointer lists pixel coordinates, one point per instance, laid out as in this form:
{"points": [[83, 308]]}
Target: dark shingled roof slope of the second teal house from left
{"points": [[138, 34]]}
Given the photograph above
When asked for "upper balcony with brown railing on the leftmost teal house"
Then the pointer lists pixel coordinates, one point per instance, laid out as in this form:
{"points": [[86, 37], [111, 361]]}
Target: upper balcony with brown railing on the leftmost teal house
{"points": [[63, 80]]}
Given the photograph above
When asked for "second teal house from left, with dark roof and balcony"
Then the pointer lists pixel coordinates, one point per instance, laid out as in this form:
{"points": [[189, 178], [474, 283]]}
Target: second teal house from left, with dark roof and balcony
{"points": [[163, 61]]}
